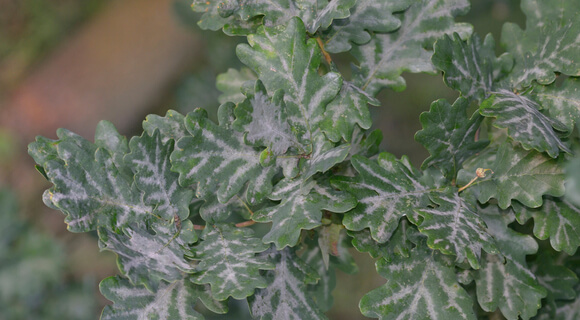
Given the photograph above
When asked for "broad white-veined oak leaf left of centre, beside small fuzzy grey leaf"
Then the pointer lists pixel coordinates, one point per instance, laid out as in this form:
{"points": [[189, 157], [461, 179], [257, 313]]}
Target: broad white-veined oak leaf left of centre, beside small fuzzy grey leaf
{"points": [[215, 155]]}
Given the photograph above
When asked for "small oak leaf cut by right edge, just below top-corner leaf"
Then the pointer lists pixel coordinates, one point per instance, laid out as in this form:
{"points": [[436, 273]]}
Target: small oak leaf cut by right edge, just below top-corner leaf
{"points": [[562, 102]]}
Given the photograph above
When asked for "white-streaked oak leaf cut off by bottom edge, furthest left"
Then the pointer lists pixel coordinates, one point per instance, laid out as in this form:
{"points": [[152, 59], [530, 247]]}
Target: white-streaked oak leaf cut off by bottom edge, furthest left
{"points": [[170, 301]]}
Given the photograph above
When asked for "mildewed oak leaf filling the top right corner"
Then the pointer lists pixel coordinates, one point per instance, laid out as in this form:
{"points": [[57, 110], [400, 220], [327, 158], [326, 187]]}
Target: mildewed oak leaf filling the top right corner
{"points": [[549, 44]]}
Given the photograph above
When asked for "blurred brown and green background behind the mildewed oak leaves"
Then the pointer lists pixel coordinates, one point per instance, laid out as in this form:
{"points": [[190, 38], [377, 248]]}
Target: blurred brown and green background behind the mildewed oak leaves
{"points": [[72, 63]]}
